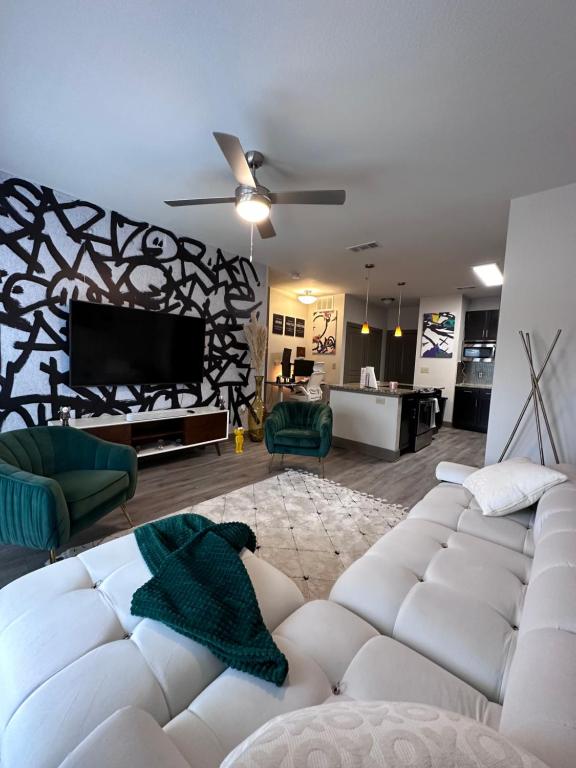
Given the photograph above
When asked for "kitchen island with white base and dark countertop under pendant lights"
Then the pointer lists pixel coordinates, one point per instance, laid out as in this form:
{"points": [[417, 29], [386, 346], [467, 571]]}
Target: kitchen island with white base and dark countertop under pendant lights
{"points": [[379, 422]]}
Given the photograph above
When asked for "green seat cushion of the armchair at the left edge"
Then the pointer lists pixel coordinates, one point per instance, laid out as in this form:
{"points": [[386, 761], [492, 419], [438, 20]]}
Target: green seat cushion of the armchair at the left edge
{"points": [[87, 489]]}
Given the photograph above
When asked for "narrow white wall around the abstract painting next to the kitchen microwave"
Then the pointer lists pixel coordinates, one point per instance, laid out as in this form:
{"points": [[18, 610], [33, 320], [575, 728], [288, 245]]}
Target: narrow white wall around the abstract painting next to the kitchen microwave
{"points": [[440, 372]]}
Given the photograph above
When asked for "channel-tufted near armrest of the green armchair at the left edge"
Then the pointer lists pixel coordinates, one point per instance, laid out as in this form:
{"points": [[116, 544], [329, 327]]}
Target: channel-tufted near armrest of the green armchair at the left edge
{"points": [[33, 511]]}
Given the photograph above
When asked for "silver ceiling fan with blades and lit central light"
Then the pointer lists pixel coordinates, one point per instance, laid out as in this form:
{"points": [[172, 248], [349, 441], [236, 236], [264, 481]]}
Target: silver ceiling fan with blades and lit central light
{"points": [[253, 201]]}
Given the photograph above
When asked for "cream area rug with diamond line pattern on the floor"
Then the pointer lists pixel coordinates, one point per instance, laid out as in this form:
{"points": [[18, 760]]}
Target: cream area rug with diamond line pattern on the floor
{"points": [[309, 528]]}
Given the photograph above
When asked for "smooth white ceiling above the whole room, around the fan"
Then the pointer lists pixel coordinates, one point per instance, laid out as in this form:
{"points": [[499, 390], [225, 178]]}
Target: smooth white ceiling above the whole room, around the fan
{"points": [[431, 114]]}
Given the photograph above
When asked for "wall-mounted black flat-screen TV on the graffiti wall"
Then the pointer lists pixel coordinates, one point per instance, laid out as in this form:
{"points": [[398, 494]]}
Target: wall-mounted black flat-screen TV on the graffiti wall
{"points": [[115, 345]]}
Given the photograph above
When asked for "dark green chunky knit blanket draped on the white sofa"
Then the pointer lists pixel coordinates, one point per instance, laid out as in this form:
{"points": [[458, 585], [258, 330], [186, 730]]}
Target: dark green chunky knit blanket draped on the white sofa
{"points": [[201, 589]]}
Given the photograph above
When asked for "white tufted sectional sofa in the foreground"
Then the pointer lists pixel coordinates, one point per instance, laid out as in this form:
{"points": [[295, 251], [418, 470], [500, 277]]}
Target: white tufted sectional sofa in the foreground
{"points": [[471, 614]]}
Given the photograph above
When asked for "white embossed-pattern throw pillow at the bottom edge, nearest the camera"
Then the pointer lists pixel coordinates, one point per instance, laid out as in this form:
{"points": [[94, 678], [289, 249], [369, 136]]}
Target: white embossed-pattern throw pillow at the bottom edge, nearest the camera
{"points": [[358, 734]]}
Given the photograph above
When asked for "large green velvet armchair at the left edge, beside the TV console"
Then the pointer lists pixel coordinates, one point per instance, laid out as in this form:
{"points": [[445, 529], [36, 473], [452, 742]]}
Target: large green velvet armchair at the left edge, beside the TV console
{"points": [[54, 481]]}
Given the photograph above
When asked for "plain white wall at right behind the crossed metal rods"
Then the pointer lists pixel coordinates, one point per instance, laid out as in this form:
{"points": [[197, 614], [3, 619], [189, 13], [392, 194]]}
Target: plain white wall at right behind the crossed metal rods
{"points": [[539, 296]]}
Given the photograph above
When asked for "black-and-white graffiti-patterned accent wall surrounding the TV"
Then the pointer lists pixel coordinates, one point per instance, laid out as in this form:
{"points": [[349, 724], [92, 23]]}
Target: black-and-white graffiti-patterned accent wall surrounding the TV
{"points": [[54, 248]]}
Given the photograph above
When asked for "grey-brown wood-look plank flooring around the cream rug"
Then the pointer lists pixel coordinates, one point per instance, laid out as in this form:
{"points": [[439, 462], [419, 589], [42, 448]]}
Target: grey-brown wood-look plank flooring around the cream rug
{"points": [[174, 481]]}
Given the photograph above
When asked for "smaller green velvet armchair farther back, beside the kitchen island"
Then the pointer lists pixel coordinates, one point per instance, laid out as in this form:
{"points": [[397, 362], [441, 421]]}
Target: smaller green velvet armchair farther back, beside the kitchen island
{"points": [[299, 428]]}
